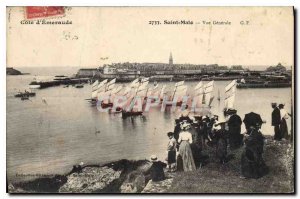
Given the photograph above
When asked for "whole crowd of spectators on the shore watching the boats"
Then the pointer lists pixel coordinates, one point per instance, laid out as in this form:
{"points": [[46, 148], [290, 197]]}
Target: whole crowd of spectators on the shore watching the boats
{"points": [[194, 134]]}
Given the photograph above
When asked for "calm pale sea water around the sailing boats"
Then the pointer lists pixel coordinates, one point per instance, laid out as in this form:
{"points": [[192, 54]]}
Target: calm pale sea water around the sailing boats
{"points": [[58, 128]]}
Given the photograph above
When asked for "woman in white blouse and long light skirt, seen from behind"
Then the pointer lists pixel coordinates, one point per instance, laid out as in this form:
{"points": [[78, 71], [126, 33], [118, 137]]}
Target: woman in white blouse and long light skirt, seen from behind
{"points": [[185, 139]]}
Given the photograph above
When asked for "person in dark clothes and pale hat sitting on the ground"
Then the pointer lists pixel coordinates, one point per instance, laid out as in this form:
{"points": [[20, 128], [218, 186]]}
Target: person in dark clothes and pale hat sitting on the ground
{"points": [[156, 170]]}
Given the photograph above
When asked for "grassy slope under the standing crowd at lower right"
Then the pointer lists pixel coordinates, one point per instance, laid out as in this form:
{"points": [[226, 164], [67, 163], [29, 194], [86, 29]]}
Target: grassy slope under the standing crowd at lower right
{"points": [[217, 178]]}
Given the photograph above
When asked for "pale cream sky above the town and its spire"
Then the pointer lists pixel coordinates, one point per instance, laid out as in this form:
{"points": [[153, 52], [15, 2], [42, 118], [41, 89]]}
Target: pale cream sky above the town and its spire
{"points": [[103, 35]]}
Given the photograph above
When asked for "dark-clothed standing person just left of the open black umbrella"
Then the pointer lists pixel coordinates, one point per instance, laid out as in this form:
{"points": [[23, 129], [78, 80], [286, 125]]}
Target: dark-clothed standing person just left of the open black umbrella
{"points": [[234, 129]]}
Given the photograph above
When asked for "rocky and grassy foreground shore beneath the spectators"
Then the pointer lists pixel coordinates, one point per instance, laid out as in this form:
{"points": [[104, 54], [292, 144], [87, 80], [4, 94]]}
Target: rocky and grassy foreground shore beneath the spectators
{"points": [[125, 176]]}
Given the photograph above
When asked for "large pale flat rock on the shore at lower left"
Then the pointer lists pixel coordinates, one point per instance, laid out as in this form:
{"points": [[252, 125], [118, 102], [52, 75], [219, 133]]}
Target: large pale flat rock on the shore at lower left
{"points": [[91, 179]]}
